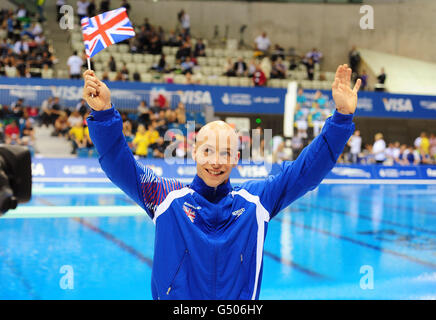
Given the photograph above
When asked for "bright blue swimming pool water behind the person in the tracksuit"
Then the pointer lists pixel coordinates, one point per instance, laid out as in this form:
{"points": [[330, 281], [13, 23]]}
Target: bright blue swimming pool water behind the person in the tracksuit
{"points": [[341, 241]]}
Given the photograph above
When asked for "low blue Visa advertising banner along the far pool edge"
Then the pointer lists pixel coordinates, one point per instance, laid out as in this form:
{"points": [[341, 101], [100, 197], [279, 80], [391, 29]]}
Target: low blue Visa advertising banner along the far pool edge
{"points": [[89, 170]]}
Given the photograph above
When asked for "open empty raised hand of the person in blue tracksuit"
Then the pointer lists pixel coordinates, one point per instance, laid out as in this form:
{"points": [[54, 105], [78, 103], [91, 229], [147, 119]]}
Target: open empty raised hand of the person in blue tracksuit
{"points": [[345, 97]]}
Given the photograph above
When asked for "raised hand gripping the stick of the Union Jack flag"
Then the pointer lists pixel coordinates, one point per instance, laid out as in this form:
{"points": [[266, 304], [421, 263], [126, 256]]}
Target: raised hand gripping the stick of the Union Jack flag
{"points": [[95, 92]]}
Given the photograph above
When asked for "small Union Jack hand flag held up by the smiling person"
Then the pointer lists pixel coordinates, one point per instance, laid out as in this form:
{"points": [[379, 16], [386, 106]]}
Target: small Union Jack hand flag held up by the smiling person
{"points": [[101, 31]]}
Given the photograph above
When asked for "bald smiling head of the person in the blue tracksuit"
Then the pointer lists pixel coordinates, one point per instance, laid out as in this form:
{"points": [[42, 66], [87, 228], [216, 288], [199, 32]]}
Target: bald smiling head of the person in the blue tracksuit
{"points": [[216, 152]]}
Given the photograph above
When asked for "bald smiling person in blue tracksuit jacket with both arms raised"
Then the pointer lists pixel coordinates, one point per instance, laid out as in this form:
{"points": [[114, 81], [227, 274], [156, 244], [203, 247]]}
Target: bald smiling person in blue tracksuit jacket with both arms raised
{"points": [[210, 235]]}
